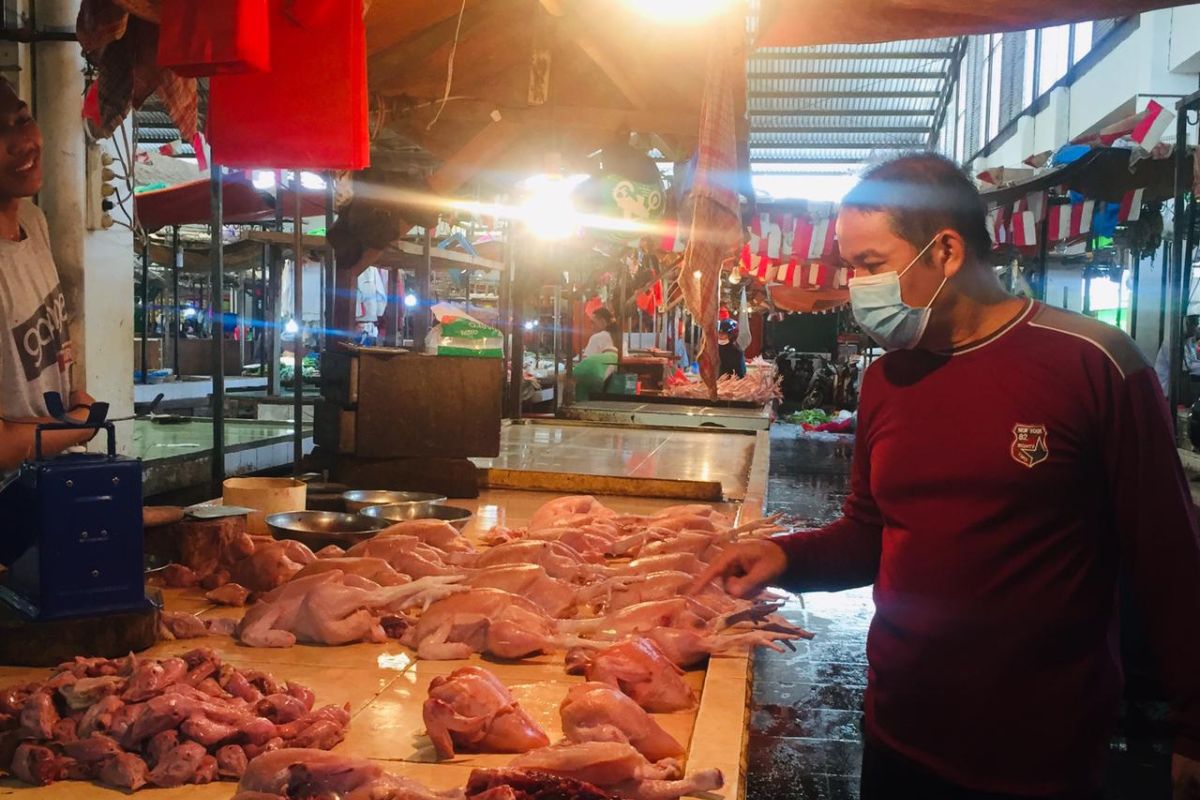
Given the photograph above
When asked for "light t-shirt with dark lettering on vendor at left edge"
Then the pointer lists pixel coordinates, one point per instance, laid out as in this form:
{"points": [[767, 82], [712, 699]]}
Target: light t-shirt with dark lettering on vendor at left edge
{"points": [[35, 352]]}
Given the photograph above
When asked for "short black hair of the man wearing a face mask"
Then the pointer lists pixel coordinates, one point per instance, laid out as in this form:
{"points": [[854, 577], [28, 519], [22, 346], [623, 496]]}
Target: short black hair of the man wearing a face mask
{"points": [[925, 194]]}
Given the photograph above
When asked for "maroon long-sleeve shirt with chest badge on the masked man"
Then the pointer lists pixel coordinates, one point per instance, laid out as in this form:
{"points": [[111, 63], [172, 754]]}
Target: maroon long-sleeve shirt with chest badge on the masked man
{"points": [[997, 494]]}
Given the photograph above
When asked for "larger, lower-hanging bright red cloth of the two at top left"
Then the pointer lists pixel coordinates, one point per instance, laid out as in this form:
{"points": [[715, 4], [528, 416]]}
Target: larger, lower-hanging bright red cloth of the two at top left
{"points": [[311, 110]]}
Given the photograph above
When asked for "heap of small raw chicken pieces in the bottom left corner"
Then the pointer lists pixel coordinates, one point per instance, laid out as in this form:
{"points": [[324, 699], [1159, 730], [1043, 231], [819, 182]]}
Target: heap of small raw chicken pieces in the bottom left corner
{"points": [[134, 723]]}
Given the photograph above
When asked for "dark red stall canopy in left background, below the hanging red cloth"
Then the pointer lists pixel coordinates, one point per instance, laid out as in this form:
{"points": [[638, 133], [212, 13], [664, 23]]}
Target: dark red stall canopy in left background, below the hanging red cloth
{"points": [[190, 204]]}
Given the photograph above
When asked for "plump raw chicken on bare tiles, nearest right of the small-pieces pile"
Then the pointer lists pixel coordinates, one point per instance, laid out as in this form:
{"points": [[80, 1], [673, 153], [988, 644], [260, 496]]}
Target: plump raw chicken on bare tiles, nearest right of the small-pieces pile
{"points": [[473, 711]]}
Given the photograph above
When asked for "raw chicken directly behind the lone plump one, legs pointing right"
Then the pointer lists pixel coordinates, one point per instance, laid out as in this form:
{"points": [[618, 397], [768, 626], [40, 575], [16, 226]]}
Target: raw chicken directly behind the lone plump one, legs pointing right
{"points": [[485, 622]]}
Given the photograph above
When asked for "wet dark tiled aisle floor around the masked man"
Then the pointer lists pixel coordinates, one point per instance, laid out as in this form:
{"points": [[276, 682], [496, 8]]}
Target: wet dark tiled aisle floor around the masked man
{"points": [[806, 739]]}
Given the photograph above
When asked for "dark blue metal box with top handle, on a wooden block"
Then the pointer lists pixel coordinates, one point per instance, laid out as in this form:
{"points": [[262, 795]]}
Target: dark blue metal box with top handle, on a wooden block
{"points": [[73, 526]]}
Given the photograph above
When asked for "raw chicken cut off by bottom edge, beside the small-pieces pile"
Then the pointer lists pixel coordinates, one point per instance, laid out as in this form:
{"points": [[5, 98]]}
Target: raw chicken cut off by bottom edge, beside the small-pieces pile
{"points": [[307, 774]]}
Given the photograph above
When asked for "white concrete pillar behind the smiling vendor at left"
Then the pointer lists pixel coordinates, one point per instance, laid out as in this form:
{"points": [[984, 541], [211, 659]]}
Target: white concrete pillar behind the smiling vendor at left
{"points": [[97, 268]]}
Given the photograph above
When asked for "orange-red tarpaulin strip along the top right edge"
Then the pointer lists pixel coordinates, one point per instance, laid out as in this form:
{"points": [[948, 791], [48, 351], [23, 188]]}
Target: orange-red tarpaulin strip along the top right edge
{"points": [[788, 23]]}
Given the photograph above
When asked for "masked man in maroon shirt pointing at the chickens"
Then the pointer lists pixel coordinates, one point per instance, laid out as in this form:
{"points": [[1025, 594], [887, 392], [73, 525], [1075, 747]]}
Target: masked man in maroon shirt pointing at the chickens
{"points": [[1012, 460]]}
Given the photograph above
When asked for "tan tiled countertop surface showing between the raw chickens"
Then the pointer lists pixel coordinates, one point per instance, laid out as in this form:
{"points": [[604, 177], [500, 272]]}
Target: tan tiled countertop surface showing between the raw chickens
{"points": [[386, 687]]}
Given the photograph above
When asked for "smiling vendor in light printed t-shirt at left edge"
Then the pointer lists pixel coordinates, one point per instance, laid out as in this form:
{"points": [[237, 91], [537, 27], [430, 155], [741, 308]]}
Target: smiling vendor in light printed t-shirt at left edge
{"points": [[35, 344]]}
